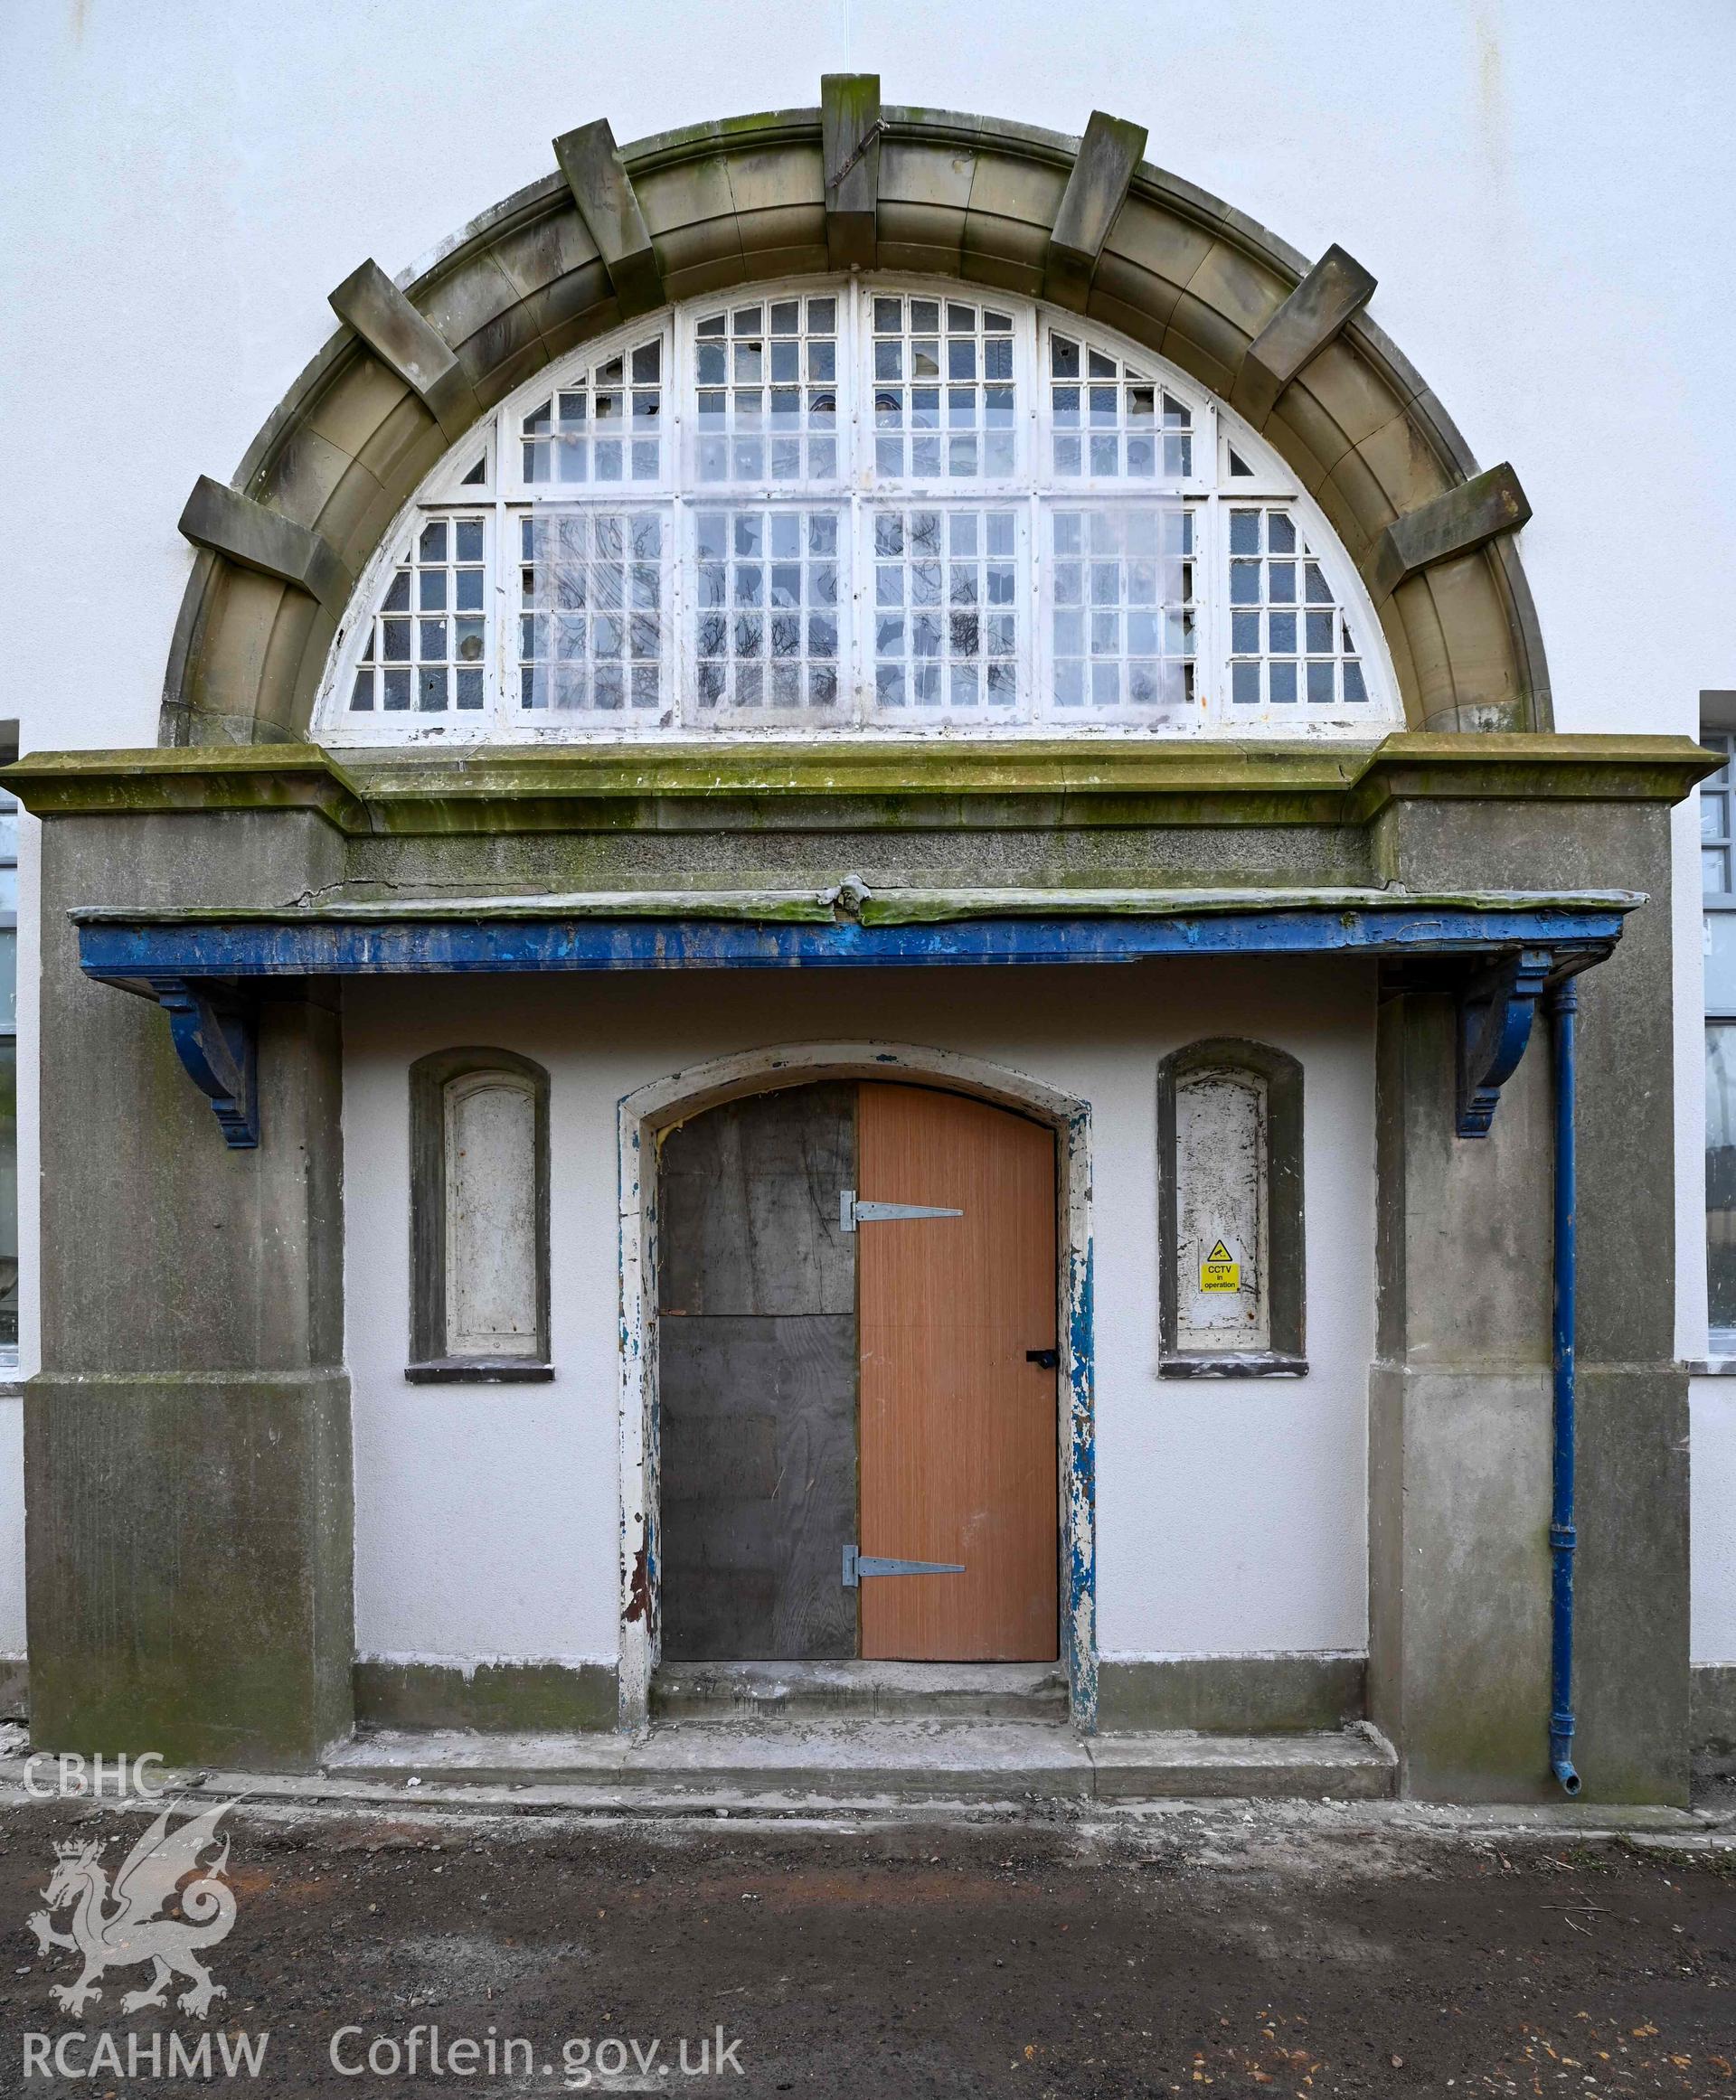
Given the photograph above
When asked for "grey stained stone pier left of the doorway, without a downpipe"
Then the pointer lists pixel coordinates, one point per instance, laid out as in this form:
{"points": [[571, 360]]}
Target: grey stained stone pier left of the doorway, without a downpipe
{"points": [[188, 1442]]}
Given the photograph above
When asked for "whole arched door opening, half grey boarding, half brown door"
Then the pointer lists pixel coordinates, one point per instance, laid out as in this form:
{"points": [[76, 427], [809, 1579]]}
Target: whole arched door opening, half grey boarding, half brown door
{"points": [[858, 1398]]}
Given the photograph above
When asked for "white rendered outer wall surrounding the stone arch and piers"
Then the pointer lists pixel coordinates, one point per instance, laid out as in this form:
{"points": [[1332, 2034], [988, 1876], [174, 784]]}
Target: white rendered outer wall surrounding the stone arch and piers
{"points": [[1536, 186]]}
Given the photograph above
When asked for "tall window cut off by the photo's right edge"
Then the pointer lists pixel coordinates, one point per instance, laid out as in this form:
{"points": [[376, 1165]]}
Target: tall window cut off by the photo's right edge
{"points": [[1718, 845]]}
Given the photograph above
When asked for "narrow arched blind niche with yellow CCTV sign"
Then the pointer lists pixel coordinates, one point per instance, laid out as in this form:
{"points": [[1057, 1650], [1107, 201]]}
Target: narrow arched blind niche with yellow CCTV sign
{"points": [[1231, 1227]]}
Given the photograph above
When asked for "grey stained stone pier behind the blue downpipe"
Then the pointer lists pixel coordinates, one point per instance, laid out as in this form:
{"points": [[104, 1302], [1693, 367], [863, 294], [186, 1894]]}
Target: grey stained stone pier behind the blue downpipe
{"points": [[1462, 1395]]}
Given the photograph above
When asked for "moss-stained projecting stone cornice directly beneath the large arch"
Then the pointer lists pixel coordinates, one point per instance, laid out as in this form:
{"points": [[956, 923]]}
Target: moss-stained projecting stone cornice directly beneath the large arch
{"points": [[876, 786]]}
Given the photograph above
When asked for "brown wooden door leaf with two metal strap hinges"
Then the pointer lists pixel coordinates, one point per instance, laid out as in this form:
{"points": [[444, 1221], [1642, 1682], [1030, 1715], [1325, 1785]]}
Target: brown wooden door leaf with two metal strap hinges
{"points": [[958, 1431]]}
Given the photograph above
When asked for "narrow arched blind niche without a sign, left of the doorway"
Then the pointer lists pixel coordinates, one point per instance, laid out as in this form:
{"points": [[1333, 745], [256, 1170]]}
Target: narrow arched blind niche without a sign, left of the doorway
{"points": [[480, 1217]]}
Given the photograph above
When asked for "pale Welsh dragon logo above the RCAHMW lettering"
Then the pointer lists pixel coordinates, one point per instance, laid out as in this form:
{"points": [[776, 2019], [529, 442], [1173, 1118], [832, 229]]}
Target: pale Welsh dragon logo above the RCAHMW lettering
{"points": [[123, 1925]]}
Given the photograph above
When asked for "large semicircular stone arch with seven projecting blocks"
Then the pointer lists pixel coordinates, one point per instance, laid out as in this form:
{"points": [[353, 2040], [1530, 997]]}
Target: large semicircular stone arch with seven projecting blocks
{"points": [[618, 232]]}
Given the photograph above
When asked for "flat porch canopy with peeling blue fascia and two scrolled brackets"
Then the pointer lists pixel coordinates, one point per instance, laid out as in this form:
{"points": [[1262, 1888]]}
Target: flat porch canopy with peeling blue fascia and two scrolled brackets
{"points": [[1498, 950]]}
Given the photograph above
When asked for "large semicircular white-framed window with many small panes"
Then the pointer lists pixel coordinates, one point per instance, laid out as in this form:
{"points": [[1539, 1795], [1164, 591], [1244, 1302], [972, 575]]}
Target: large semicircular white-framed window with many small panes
{"points": [[860, 507]]}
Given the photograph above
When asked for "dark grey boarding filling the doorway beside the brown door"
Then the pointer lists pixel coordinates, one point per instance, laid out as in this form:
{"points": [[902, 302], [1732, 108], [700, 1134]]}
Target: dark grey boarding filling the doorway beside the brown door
{"points": [[759, 1381]]}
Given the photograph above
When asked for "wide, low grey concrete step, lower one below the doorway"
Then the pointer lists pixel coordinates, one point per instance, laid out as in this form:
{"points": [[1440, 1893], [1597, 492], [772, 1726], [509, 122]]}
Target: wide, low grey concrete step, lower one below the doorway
{"points": [[839, 1763]]}
